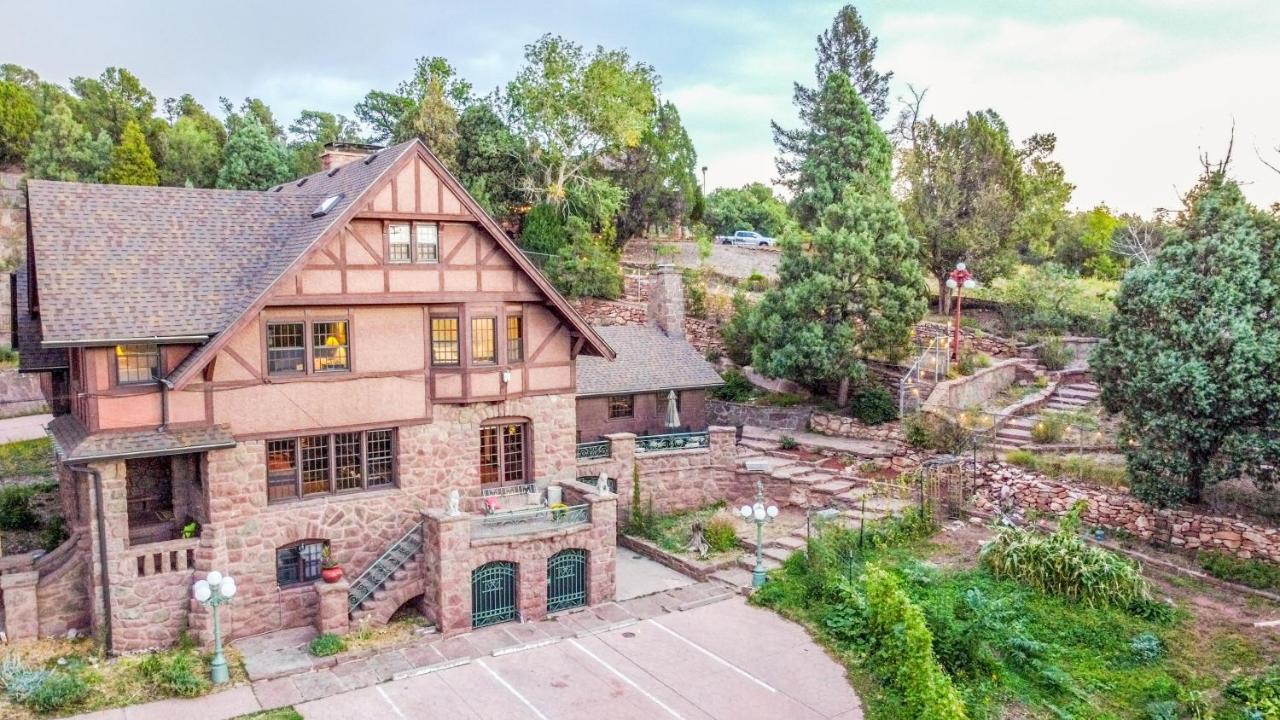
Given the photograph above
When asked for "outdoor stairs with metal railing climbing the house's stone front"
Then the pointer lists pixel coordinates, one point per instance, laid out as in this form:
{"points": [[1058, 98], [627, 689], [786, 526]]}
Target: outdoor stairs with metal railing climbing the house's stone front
{"points": [[395, 578]]}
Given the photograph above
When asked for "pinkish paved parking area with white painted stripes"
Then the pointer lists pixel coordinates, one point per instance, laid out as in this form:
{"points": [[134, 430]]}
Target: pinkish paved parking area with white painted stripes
{"points": [[725, 660]]}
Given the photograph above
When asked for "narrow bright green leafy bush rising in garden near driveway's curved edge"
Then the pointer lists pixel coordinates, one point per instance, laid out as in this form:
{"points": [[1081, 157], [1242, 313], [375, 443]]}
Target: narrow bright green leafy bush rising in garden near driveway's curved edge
{"points": [[900, 651]]}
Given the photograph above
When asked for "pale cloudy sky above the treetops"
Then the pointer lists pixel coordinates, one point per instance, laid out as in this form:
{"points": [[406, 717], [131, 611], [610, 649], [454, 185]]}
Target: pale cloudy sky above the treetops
{"points": [[1135, 90]]}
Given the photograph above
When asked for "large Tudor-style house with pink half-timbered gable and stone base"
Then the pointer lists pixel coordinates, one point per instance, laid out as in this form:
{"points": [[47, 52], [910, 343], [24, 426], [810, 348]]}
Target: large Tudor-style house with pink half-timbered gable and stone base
{"points": [[355, 368]]}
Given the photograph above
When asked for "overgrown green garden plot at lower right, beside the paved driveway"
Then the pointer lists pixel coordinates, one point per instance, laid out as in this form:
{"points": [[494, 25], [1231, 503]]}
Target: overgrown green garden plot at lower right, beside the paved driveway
{"points": [[1014, 653]]}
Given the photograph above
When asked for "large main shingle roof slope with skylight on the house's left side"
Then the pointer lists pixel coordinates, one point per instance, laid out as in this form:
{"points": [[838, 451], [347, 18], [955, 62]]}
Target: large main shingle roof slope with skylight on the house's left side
{"points": [[126, 262]]}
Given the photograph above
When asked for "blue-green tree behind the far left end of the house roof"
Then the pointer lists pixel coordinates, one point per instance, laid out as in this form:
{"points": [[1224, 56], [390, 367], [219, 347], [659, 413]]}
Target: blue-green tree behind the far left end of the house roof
{"points": [[63, 151]]}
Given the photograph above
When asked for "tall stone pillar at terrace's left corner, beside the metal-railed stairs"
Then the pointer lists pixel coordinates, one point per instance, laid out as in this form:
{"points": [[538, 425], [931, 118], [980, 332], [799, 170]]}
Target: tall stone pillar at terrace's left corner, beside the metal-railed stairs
{"points": [[449, 566]]}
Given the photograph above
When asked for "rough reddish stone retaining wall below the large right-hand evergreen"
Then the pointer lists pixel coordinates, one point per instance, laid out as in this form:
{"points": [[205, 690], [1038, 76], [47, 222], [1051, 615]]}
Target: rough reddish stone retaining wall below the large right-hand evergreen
{"points": [[1008, 489]]}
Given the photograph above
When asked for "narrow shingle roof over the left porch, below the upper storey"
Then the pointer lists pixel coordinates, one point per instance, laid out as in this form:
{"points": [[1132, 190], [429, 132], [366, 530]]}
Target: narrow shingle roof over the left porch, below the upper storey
{"points": [[76, 445]]}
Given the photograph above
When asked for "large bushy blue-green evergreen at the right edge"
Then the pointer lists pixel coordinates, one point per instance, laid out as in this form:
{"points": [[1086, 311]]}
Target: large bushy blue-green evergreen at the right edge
{"points": [[1192, 356]]}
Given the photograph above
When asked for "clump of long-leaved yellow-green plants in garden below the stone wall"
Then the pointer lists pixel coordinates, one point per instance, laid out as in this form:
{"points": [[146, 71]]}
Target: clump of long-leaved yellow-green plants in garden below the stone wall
{"points": [[1063, 564]]}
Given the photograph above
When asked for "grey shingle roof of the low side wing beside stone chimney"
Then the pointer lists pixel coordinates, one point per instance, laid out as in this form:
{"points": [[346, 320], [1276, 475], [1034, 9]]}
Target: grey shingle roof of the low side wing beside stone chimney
{"points": [[647, 362]]}
